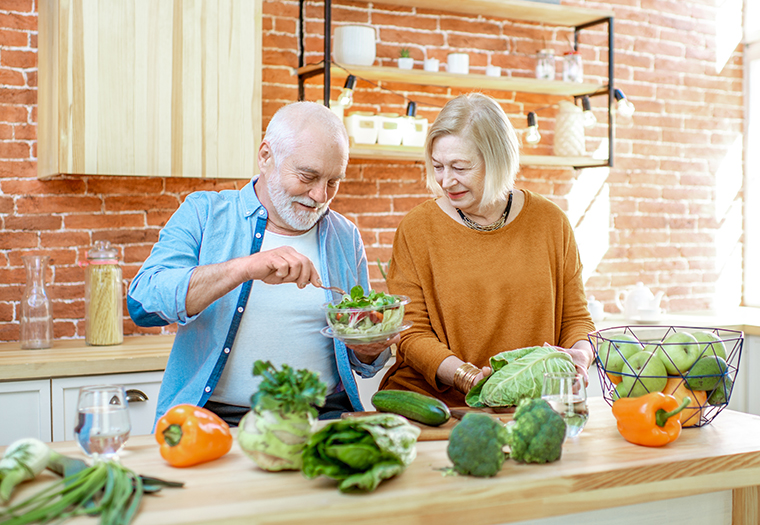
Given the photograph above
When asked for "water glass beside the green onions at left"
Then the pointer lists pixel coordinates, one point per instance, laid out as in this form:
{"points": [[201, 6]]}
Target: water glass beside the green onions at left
{"points": [[103, 424]]}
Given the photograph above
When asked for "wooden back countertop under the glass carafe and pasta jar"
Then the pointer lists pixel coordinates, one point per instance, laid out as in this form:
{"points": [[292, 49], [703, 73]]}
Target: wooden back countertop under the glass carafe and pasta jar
{"points": [[72, 357]]}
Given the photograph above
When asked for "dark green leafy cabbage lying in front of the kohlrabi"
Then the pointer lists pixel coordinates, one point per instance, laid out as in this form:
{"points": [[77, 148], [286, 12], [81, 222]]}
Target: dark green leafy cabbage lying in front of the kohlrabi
{"points": [[361, 452]]}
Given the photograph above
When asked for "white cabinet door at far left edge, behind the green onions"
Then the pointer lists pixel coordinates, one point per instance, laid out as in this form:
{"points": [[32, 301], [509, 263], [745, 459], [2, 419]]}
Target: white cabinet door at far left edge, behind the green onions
{"points": [[24, 410]]}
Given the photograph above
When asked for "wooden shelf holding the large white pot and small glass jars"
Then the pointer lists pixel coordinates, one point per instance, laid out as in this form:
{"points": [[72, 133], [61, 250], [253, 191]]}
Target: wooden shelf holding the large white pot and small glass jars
{"points": [[428, 78]]}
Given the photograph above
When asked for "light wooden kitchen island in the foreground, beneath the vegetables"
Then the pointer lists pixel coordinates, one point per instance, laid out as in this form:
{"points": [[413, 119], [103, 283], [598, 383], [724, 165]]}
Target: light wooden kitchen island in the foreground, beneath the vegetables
{"points": [[718, 463]]}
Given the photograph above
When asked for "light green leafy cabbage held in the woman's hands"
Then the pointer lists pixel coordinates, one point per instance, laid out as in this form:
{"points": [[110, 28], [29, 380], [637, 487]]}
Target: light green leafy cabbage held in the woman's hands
{"points": [[517, 374]]}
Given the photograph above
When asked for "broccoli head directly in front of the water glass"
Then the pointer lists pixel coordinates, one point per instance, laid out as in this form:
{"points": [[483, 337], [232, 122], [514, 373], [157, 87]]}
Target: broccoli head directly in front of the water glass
{"points": [[536, 433]]}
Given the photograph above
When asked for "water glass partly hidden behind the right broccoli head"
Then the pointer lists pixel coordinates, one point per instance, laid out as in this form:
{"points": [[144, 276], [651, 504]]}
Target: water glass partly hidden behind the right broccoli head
{"points": [[566, 394]]}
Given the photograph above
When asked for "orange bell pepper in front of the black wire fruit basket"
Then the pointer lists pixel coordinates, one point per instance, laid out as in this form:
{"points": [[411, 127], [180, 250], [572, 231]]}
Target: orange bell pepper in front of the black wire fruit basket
{"points": [[648, 420]]}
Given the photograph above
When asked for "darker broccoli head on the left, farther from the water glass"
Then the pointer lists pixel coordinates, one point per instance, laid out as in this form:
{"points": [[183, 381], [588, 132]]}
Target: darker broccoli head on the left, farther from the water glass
{"points": [[475, 445]]}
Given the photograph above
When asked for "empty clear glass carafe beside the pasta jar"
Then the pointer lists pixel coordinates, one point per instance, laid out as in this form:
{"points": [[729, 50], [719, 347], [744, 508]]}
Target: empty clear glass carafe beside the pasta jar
{"points": [[36, 313]]}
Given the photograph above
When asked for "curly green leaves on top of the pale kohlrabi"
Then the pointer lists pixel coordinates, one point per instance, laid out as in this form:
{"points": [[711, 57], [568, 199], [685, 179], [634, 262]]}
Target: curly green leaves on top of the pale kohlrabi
{"points": [[288, 391]]}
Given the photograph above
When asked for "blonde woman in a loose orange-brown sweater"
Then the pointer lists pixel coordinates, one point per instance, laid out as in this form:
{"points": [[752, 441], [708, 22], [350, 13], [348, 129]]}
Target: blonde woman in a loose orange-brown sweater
{"points": [[488, 267]]}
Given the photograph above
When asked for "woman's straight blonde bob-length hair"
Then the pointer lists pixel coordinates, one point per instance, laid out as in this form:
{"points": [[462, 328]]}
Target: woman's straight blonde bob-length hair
{"points": [[481, 119]]}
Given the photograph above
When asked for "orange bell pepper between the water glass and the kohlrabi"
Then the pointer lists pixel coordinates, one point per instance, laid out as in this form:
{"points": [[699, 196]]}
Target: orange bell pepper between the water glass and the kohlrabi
{"points": [[190, 435]]}
